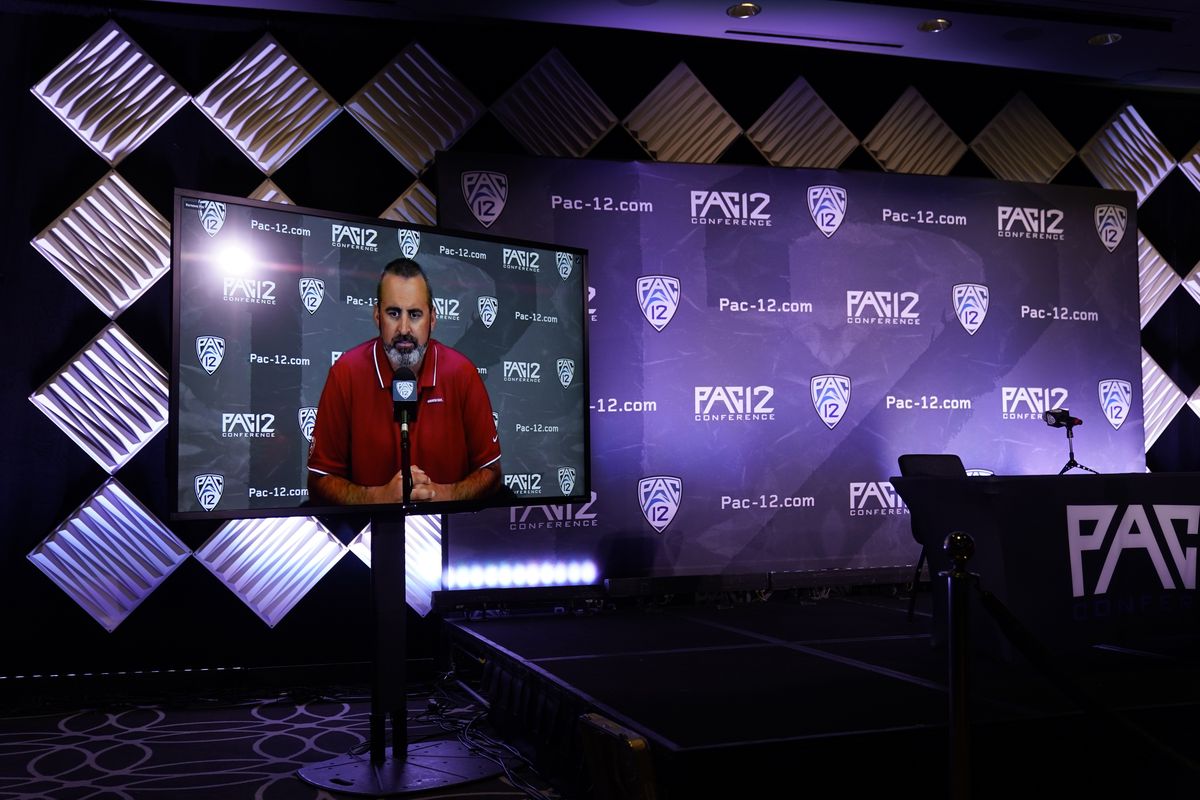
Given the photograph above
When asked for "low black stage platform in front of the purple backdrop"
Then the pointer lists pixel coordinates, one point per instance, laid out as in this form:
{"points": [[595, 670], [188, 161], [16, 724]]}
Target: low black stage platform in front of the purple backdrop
{"points": [[821, 690]]}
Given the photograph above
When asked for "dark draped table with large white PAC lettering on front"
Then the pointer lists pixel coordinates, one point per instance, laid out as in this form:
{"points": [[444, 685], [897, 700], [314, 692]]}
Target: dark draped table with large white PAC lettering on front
{"points": [[1078, 560]]}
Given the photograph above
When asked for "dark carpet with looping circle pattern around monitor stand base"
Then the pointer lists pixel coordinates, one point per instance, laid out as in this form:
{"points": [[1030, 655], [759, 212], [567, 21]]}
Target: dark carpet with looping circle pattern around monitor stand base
{"points": [[236, 749]]}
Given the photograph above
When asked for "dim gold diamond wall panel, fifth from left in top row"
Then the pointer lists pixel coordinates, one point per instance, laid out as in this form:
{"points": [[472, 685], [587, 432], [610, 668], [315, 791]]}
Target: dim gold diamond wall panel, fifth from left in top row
{"points": [[681, 122]]}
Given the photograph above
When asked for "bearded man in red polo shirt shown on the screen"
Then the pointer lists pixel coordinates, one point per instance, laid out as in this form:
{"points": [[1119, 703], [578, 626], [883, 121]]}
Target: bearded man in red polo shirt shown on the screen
{"points": [[356, 455]]}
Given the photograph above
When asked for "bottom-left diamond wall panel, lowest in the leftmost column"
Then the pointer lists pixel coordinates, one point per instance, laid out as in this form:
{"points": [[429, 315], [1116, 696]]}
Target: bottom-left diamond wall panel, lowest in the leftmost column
{"points": [[110, 555]]}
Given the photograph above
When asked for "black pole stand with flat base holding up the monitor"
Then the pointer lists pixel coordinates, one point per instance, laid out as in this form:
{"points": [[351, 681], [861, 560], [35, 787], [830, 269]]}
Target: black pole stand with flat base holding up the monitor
{"points": [[418, 767]]}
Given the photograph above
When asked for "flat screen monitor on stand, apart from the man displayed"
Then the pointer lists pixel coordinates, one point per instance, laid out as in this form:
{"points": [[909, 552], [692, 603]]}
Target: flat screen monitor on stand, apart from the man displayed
{"points": [[268, 297]]}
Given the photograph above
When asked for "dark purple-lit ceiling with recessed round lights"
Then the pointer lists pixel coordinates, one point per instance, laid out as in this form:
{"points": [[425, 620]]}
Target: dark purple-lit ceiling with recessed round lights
{"points": [[1155, 44]]}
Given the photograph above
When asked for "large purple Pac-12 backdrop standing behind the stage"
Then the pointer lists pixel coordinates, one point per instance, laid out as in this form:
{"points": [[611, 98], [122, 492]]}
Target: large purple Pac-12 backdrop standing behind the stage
{"points": [[767, 342]]}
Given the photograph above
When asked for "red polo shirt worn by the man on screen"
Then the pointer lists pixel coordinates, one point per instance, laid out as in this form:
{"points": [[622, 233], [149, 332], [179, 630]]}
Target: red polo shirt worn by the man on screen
{"points": [[357, 437]]}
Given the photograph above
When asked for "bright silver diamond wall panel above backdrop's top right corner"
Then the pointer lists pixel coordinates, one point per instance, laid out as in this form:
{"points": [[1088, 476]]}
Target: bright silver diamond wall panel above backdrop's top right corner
{"points": [[1126, 155]]}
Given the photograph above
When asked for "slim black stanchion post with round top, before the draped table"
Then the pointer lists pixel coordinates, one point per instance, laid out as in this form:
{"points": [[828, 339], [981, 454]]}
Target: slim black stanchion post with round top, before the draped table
{"points": [[961, 548]]}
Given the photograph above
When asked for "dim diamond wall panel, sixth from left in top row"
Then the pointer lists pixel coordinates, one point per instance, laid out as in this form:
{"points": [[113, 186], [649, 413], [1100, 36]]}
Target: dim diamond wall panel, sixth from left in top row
{"points": [[800, 130]]}
